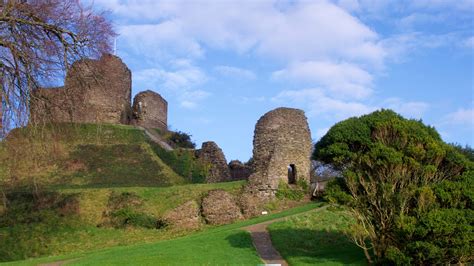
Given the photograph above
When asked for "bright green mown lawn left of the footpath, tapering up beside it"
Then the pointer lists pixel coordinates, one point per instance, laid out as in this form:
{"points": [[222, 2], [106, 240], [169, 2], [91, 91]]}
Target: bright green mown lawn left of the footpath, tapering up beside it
{"points": [[223, 245]]}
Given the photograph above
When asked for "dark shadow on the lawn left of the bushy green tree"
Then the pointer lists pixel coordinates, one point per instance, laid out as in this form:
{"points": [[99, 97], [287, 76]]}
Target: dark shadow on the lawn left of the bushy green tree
{"points": [[305, 246]]}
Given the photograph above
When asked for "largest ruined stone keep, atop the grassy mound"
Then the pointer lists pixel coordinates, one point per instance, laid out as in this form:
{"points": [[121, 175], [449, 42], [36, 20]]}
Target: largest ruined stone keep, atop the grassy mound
{"points": [[95, 91]]}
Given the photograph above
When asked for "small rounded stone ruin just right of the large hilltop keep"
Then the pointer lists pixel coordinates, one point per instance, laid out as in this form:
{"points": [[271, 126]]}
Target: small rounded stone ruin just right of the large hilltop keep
{"points": [[150, 110]]}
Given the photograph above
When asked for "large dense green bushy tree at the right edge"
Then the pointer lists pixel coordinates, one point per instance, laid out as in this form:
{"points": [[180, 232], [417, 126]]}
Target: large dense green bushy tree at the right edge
{"points": [[408, 190]]}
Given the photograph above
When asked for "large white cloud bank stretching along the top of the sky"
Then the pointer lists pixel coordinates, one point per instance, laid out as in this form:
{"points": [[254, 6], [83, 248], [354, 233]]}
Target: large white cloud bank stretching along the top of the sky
{"points": [[301, 31]]}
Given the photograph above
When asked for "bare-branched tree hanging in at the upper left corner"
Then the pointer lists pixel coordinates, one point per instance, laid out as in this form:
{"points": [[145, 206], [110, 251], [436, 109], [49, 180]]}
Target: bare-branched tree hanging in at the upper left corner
{"points": [[39, 40]]}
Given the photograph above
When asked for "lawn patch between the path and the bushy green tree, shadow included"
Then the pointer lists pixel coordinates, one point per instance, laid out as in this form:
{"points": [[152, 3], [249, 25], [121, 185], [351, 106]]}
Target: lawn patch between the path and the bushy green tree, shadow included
{"points": [[316, 238]]}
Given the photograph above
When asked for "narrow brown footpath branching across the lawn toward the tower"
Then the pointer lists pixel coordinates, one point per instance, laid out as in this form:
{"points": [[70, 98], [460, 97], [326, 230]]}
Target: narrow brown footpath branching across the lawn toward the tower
{"points": [[263, 243]]}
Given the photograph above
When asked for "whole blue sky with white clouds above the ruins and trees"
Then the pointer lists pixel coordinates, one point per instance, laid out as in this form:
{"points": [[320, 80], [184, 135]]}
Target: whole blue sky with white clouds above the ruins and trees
{"points": [[221, 65]]}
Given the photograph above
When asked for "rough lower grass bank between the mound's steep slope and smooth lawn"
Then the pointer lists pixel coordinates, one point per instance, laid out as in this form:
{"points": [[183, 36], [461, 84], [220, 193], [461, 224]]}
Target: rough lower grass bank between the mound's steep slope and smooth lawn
{"points": [[27, 232]]}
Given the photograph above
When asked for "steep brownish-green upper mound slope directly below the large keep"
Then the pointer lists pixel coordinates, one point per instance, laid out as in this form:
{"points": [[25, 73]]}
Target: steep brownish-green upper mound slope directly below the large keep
{"points": [[86, 155]]}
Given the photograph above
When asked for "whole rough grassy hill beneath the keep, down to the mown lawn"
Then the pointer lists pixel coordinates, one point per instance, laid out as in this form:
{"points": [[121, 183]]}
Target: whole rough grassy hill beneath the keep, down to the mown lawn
{"points": [[60, 183]]}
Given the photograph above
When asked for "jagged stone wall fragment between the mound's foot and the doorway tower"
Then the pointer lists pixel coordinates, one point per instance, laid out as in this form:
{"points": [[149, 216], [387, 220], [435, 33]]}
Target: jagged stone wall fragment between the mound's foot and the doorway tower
{"points": [[212, 155]]}
